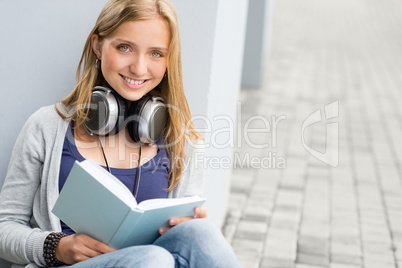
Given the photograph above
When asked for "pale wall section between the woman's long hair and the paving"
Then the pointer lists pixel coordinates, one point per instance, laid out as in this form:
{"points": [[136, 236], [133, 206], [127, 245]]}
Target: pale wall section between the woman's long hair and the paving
{"points": [[213, 35]]}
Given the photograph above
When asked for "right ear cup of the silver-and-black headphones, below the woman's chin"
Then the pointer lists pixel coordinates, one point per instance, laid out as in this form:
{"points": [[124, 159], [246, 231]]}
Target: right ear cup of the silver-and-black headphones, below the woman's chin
{"points": [[147, 119]]}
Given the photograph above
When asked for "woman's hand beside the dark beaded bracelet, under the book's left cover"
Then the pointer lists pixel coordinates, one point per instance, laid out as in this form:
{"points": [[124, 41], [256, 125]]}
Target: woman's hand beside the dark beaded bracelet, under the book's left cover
{"points": [[79, 247]]}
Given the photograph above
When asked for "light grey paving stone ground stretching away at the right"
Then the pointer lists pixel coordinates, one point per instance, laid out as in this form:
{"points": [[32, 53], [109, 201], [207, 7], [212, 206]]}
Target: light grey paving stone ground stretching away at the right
{"points": [[317, 182]]}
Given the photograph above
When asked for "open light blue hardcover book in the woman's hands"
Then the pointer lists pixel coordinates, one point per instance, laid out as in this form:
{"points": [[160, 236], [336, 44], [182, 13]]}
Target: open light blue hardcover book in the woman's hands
{"points": [[96, 203]]}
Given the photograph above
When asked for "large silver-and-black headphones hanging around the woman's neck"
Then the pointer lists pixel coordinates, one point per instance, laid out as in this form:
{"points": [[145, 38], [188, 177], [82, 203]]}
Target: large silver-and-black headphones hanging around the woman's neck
{"points": [[109, 113]]}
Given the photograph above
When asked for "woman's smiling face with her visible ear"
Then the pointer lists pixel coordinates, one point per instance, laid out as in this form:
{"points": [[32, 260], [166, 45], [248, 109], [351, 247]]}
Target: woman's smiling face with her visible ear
{"points": [[134, 57]]}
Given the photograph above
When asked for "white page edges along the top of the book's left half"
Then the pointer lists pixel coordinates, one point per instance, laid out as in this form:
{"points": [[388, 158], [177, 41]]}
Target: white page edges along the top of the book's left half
{"points": [[112, 183]]}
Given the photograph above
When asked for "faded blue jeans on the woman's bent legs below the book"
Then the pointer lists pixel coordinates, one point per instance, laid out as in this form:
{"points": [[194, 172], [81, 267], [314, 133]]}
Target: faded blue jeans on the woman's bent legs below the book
{"points": [[194, 243]]}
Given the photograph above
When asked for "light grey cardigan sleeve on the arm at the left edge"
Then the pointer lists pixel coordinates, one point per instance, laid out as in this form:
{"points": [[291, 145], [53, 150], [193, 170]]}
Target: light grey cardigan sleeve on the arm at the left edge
{"points": [[19, 242]]}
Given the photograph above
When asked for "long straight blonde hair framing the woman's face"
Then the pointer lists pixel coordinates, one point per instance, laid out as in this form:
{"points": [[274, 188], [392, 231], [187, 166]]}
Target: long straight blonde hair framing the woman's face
{"points": [[179, 126]]}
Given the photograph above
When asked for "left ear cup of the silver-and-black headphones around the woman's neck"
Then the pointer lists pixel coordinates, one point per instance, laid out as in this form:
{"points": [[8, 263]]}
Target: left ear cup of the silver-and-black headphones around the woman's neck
{"points": [[106, 113]]}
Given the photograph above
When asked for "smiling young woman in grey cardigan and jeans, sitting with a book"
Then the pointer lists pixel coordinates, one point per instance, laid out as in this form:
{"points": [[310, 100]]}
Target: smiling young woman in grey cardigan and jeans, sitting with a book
{"points": [[132, 52]]}
